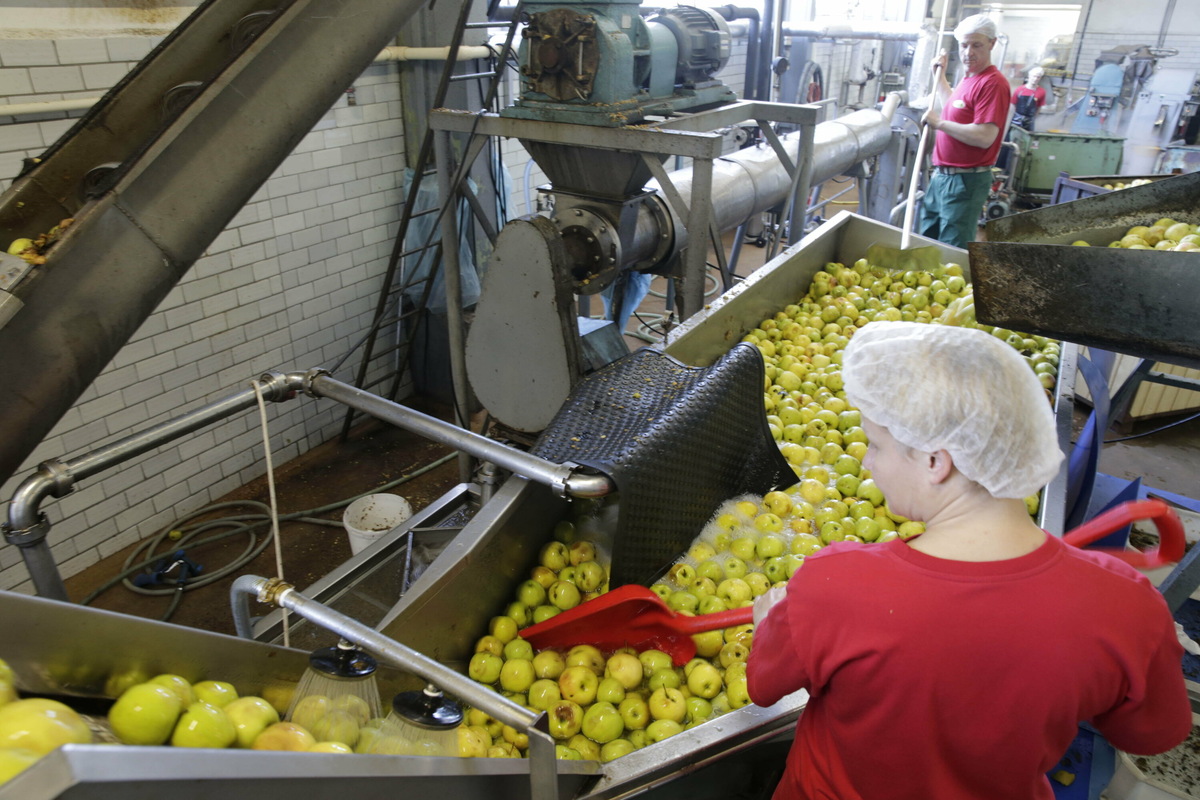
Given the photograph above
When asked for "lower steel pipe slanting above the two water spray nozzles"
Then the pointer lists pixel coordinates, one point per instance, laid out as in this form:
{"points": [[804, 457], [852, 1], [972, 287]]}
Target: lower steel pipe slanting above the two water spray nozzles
{"points": [[542, 745]]}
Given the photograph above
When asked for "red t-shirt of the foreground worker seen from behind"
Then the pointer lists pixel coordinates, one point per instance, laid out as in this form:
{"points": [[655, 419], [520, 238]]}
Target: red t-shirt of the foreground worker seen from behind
{"points": [[933, 679]]}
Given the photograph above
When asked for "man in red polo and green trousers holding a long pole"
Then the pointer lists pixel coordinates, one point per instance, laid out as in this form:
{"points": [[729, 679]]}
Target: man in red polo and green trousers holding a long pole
{"points": [[968, 136]]}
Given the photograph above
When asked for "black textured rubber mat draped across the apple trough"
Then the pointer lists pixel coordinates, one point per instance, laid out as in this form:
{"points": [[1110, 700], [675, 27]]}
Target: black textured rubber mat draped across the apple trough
{"points": [[677, 441]]}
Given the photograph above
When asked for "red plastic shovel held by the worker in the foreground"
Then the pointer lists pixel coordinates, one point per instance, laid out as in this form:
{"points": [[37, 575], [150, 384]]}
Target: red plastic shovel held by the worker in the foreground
{"points": [[637, 617]]}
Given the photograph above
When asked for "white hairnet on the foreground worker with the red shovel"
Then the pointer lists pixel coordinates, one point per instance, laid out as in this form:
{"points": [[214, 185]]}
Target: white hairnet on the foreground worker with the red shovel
{"points": [[961, 390]]}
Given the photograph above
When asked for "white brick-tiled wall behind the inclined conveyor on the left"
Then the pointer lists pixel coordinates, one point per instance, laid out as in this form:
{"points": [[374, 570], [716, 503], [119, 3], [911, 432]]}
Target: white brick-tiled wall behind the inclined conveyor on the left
{"points": [[290, 285]]}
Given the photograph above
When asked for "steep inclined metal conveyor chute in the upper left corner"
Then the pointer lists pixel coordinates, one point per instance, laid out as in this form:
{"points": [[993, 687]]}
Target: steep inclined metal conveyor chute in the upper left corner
{"points": [[153, 175]]}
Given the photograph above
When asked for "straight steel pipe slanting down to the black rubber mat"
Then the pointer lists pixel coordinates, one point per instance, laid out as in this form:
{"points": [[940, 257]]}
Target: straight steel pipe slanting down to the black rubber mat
{"points": [[565, 479]]}
